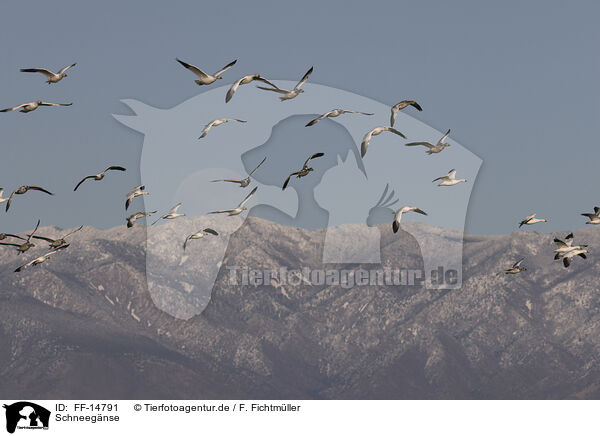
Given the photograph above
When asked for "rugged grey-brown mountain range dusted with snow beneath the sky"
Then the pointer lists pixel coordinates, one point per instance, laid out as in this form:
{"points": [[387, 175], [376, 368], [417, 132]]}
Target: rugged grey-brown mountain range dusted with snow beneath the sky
{"points": [[88, 323]]}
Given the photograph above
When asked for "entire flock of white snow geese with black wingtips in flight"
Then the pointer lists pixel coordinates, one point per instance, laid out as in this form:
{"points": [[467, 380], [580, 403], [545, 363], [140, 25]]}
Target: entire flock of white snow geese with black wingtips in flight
{"points": [[566, 249]]}
